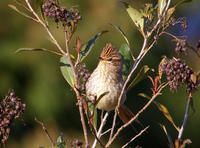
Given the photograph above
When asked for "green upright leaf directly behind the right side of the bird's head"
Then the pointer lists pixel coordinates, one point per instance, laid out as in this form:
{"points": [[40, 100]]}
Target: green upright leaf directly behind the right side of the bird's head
{"points": [[126, 57]]}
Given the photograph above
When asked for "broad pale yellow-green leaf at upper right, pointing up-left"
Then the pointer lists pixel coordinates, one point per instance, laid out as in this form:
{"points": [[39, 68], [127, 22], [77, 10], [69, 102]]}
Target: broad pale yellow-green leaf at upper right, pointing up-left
{"points": [[136, 17]]}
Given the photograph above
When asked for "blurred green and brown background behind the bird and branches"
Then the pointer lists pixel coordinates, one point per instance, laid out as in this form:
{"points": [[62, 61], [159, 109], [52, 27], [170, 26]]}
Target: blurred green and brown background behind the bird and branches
{"points": [[36, 77]]}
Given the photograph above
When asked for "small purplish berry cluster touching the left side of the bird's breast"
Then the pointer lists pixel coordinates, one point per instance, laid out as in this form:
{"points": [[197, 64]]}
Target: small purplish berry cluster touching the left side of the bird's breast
{"points": [[83, 75]]}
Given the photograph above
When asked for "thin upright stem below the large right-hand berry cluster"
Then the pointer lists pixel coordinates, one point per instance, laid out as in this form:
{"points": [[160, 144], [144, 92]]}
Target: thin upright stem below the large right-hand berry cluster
{"points": [[185, 117]]}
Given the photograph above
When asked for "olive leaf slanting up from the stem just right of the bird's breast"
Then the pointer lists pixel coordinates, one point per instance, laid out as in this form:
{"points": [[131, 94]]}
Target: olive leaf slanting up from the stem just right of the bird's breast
{"points": [[140, 76]]}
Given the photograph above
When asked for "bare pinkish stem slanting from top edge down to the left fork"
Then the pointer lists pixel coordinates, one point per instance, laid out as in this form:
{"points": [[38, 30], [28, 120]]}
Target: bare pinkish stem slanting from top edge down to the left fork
{"points": [[46, 27]]}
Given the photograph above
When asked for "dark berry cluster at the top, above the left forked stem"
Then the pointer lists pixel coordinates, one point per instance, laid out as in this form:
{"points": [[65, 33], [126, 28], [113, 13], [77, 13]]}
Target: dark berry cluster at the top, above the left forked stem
{"points": [[60, 14]]}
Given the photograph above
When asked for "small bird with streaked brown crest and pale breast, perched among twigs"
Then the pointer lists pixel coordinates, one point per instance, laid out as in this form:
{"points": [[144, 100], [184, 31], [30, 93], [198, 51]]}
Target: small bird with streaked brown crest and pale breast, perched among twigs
{"points": [[107, 77]]}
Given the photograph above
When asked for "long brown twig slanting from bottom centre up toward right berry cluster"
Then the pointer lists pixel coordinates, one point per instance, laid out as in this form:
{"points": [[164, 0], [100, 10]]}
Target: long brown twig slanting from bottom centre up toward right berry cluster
{"points": [[136, 116]]}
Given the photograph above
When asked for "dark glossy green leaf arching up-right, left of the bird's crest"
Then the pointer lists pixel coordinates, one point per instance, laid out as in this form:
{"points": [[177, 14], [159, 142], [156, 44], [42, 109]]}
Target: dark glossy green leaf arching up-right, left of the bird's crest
{"points": [[86, 48]]}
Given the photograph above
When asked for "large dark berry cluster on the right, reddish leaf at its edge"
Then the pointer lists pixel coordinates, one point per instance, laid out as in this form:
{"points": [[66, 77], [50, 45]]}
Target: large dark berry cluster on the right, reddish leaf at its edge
{"points": [[177, 72]]}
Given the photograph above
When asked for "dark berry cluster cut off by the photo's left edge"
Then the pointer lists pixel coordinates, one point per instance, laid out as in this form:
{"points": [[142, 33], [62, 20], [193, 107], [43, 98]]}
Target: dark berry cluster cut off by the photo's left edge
{"points": [[11, 108]]}
